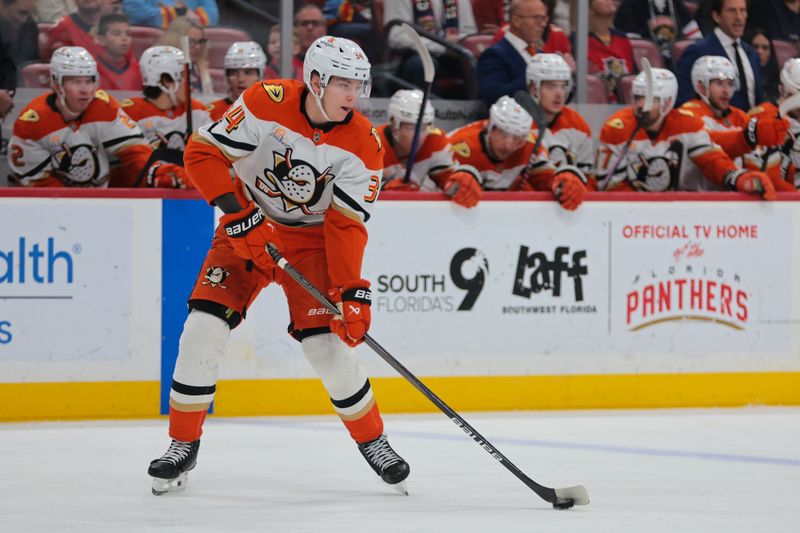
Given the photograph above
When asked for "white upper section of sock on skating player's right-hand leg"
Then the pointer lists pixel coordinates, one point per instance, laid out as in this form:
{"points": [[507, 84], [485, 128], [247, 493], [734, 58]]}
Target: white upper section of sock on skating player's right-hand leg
{"points": [[337, 365]]}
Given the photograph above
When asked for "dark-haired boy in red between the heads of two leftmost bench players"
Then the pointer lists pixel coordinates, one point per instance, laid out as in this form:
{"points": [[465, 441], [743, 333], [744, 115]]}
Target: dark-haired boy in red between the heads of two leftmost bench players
{"points": [[116, 64]]}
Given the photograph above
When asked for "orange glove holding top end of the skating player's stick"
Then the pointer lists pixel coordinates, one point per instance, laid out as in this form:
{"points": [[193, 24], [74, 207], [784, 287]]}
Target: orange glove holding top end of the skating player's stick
{"points": [[249, 232]]}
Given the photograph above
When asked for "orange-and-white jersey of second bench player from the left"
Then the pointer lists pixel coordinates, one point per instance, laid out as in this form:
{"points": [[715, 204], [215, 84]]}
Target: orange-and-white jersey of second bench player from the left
{"points": [[165, 128]]}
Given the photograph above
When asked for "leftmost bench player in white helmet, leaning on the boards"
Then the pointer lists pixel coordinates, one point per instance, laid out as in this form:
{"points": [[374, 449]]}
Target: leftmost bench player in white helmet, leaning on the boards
{"points": [[67, 137]]}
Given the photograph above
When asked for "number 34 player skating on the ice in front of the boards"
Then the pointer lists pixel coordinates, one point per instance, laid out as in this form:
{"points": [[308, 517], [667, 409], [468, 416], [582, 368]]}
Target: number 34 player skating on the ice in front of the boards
{"points": [[309, 172]]}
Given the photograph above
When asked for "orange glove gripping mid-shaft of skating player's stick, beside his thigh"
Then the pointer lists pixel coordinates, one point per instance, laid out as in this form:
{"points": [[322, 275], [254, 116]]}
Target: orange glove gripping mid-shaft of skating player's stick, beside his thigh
{"points": [[353, 300]]}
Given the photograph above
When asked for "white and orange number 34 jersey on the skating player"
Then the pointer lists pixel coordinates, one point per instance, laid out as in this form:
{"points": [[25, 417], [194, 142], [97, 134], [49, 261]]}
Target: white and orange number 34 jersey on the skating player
{"points": [[316, 180]]}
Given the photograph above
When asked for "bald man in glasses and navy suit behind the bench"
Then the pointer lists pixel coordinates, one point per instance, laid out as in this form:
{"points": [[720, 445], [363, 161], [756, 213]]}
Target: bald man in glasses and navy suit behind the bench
{"points": [[501, 68]]}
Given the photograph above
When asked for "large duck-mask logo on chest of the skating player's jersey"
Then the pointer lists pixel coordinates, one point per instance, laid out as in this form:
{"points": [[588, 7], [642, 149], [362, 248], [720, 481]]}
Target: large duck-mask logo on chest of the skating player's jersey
{"points": [[296, 182]]}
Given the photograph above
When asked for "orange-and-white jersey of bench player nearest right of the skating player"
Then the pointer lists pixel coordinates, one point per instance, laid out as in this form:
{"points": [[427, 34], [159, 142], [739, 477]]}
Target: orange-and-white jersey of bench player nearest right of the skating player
{"points": [[433, 162]]}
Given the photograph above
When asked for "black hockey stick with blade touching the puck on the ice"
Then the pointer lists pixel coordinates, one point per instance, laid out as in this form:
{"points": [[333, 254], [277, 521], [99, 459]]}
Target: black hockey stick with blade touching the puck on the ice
{"points": [[560, 498]]}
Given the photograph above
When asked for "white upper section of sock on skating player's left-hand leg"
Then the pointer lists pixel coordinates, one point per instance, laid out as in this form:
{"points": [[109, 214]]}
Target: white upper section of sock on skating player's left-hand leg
{"points": [[201, 347]]}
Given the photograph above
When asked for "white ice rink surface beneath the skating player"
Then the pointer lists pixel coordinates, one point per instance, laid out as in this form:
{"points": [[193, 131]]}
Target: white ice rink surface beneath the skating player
{"points": [[654, 471]]}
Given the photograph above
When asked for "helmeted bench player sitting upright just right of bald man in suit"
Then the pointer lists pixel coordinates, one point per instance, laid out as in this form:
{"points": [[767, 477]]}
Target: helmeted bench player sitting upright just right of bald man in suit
{"points": [[567, 136]]}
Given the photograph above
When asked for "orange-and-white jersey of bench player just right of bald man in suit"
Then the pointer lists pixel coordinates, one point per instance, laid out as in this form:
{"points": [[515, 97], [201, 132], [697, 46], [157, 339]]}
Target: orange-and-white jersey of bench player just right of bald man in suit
{"points": [[568, 140]]}
